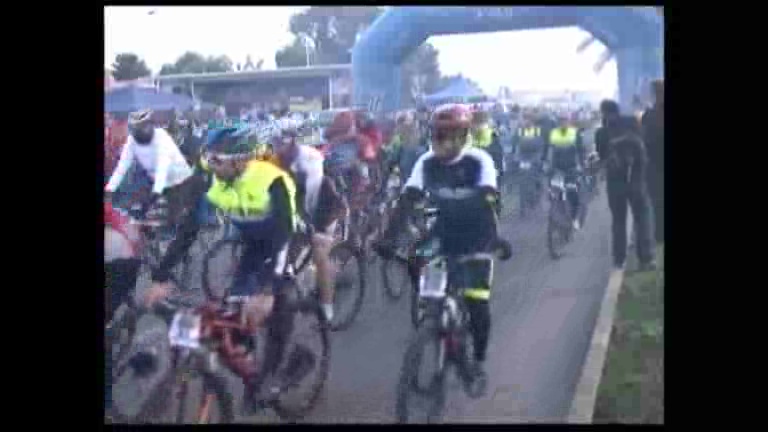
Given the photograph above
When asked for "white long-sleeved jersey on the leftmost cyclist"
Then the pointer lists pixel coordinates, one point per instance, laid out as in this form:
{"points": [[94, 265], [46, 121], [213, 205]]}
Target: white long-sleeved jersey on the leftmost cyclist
{"points": [[161, 159]]}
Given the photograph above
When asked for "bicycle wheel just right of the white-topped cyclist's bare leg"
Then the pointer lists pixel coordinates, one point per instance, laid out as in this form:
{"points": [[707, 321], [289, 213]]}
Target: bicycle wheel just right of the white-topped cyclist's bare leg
{"points": [[349, 284]]}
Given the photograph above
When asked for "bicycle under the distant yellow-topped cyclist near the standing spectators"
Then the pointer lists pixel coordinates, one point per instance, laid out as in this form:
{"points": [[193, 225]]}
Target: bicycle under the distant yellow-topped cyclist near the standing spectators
{"points": [[560, 227]]}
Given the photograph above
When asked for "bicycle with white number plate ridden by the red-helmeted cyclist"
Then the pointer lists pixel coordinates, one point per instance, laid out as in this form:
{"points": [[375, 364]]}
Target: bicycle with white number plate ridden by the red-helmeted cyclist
{"points": [[444, 325]]}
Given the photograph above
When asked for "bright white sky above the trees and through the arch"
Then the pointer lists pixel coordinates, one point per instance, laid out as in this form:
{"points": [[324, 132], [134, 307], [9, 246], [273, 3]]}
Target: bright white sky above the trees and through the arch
{"points": [[529, 60]]}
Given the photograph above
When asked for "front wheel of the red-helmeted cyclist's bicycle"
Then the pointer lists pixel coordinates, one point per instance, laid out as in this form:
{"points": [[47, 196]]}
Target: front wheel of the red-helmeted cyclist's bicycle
{"points": [[416, 396]]}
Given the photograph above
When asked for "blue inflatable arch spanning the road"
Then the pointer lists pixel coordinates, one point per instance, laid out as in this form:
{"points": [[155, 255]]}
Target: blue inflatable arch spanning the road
{"points": [[634, 34]]}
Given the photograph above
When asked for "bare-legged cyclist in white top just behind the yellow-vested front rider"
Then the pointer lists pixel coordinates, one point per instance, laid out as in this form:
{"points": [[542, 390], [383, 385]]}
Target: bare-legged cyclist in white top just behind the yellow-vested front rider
{"points": [[319, 202]]}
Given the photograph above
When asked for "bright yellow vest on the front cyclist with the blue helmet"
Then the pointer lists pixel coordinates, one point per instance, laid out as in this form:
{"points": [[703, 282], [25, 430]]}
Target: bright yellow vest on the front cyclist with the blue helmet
{"points": [[247, 198]]}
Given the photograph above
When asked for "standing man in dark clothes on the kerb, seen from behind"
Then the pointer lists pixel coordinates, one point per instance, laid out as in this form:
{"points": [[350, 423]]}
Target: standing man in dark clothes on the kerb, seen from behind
{"points": [[622, 153]]}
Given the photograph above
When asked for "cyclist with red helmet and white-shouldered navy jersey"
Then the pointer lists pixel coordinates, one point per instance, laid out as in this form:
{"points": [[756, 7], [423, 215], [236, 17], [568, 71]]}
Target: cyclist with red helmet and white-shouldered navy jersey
{"points": [[461, 181]]}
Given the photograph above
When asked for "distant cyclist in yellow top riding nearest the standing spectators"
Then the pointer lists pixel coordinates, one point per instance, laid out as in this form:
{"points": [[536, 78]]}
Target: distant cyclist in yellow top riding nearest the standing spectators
{"points": [[567, 156]]}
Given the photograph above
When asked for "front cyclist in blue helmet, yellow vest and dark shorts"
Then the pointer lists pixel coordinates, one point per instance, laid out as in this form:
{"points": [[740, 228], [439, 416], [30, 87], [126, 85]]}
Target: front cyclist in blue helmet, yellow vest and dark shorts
{"points": [[259, 199]]}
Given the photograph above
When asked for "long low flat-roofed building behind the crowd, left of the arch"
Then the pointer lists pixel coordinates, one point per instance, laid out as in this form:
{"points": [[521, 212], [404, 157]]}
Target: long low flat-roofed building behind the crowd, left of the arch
{"points": [[300, 89]]}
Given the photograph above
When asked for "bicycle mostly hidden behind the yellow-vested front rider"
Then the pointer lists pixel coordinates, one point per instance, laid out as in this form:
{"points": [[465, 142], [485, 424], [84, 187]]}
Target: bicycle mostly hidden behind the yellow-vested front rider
{"points": [[345, 253]]}
